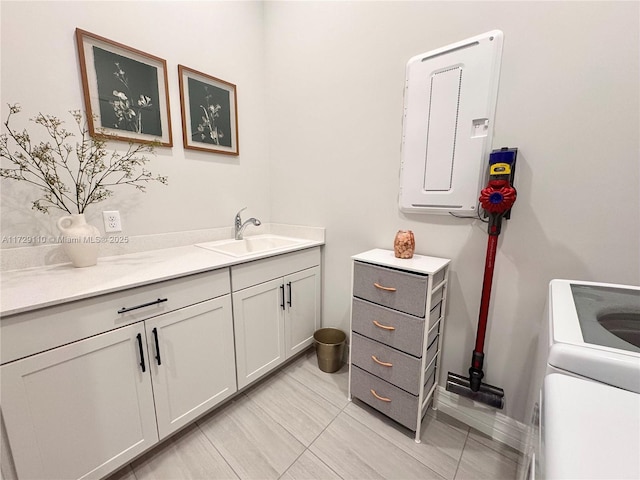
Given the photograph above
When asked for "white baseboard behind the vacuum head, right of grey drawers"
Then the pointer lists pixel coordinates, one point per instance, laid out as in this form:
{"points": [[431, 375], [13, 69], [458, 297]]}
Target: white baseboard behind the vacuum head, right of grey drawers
{"points": [[486, 419]]}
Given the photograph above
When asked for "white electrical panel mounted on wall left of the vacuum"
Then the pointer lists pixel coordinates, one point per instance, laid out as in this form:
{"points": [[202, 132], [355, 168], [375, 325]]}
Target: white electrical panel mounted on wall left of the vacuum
{"points": [[449, 107]]}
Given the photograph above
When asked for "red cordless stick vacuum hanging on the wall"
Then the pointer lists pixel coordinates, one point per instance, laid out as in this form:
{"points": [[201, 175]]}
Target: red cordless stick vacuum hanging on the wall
{"points": [[496, 199]]}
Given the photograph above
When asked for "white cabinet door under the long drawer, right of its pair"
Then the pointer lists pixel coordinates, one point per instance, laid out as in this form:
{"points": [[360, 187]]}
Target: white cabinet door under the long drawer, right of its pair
{"points": [[192, 361]]}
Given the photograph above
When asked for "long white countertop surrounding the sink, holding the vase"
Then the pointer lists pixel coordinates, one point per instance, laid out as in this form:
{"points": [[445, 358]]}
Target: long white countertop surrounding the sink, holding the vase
{"points": [[33, 288]]}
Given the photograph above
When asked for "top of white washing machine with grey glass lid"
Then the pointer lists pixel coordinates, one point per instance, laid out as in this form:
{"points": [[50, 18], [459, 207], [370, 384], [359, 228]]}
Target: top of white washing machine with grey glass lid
{"points": [[578, 340]]}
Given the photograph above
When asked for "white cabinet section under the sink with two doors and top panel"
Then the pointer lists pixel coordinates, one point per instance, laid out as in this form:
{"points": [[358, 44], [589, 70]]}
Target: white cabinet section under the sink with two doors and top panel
{"points": [[276, 308]]}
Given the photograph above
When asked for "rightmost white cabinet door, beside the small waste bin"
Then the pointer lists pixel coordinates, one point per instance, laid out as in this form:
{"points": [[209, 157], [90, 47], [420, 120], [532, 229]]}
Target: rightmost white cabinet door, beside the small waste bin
{"points": [[302, 316]]}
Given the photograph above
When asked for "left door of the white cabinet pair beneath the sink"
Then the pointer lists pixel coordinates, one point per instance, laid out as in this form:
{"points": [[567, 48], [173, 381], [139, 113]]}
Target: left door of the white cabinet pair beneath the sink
{"points": [[258, 314]]}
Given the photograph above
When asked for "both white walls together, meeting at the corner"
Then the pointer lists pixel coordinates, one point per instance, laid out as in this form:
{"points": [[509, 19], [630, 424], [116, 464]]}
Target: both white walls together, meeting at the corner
{"points": [[320, 104]]}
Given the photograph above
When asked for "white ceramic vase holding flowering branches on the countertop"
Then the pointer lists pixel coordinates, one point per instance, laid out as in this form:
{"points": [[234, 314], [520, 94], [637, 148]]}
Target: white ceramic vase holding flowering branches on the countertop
{"points": [[80, 240]]}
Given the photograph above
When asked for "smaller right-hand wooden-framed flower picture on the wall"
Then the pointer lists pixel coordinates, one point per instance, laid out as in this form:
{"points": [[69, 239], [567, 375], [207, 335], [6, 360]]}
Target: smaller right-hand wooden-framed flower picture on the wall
{"points": [[209, 112]]}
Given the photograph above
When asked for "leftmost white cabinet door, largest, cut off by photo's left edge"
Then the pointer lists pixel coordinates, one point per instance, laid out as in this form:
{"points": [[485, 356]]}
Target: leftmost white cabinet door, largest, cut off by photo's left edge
{"points": [[81, 410]]}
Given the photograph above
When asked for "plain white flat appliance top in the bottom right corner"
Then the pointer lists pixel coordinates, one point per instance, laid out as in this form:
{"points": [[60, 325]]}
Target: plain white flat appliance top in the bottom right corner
{"points": [[589, 430]]}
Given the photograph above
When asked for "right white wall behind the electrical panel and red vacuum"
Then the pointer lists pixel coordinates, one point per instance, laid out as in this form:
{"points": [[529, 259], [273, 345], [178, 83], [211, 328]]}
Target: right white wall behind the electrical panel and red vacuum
{"points": [[568, 100]]}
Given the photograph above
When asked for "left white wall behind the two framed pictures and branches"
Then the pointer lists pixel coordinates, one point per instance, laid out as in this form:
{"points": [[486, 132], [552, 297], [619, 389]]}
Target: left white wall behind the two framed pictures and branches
{"points": [[223, 39]]}
